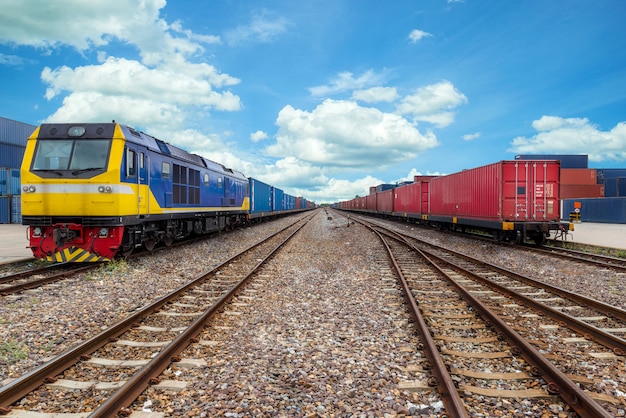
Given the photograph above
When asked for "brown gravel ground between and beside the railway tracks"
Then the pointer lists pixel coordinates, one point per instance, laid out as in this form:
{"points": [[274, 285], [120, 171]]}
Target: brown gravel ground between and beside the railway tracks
{"points": [[322, 333]]}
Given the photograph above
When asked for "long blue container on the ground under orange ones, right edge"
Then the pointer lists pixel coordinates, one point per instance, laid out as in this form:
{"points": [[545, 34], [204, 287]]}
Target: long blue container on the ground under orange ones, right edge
{"points": [[603, 210]]}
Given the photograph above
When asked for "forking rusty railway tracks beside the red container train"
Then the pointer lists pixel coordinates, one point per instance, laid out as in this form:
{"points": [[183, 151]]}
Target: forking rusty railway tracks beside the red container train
{"points": [[489, 314]]}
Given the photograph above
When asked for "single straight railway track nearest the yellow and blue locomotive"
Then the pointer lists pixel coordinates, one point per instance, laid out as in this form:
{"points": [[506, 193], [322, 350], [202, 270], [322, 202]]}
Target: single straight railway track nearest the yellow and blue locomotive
{"points": [[103, 375]]}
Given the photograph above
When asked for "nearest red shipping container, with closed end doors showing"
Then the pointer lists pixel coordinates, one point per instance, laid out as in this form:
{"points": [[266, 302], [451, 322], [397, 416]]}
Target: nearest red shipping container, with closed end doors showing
{"points": [[524, 190]]}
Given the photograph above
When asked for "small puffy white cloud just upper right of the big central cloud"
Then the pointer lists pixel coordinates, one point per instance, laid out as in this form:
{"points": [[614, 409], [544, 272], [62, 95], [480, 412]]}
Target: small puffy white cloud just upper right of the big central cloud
{"points": [[433, 103]]}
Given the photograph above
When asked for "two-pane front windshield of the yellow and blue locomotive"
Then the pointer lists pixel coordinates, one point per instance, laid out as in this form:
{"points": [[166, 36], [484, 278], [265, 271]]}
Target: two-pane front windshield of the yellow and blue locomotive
{"points": [[75, 155]]}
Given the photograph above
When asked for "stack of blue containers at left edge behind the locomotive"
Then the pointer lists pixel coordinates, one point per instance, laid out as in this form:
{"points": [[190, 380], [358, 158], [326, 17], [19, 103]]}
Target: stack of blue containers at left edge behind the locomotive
{"points": [[13, 136]]}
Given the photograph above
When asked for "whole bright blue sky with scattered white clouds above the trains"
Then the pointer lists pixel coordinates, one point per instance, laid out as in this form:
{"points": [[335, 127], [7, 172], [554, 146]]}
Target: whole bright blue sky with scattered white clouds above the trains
{"points": [[327, 98]]}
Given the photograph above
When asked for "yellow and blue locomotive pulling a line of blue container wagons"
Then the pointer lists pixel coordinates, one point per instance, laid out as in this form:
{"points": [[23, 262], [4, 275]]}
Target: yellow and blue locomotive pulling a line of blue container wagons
{"points": [[93, 191]]}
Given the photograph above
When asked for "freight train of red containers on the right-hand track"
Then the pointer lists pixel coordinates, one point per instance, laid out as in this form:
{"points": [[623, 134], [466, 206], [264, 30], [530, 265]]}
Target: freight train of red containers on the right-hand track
{"points": [[513, 201]]}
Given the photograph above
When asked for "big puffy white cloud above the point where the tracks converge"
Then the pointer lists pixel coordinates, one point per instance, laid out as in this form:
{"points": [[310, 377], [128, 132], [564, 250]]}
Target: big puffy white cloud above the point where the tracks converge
{"points": [[343, 135]]}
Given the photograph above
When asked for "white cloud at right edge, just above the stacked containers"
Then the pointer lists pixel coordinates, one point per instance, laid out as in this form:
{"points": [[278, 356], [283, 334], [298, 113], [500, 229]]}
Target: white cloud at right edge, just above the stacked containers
{"points": [[572, 136]]}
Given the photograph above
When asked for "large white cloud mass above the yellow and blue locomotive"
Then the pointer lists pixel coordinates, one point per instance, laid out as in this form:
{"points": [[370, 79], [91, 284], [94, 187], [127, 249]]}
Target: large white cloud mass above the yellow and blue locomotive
{"points": [[162, 88]]}
